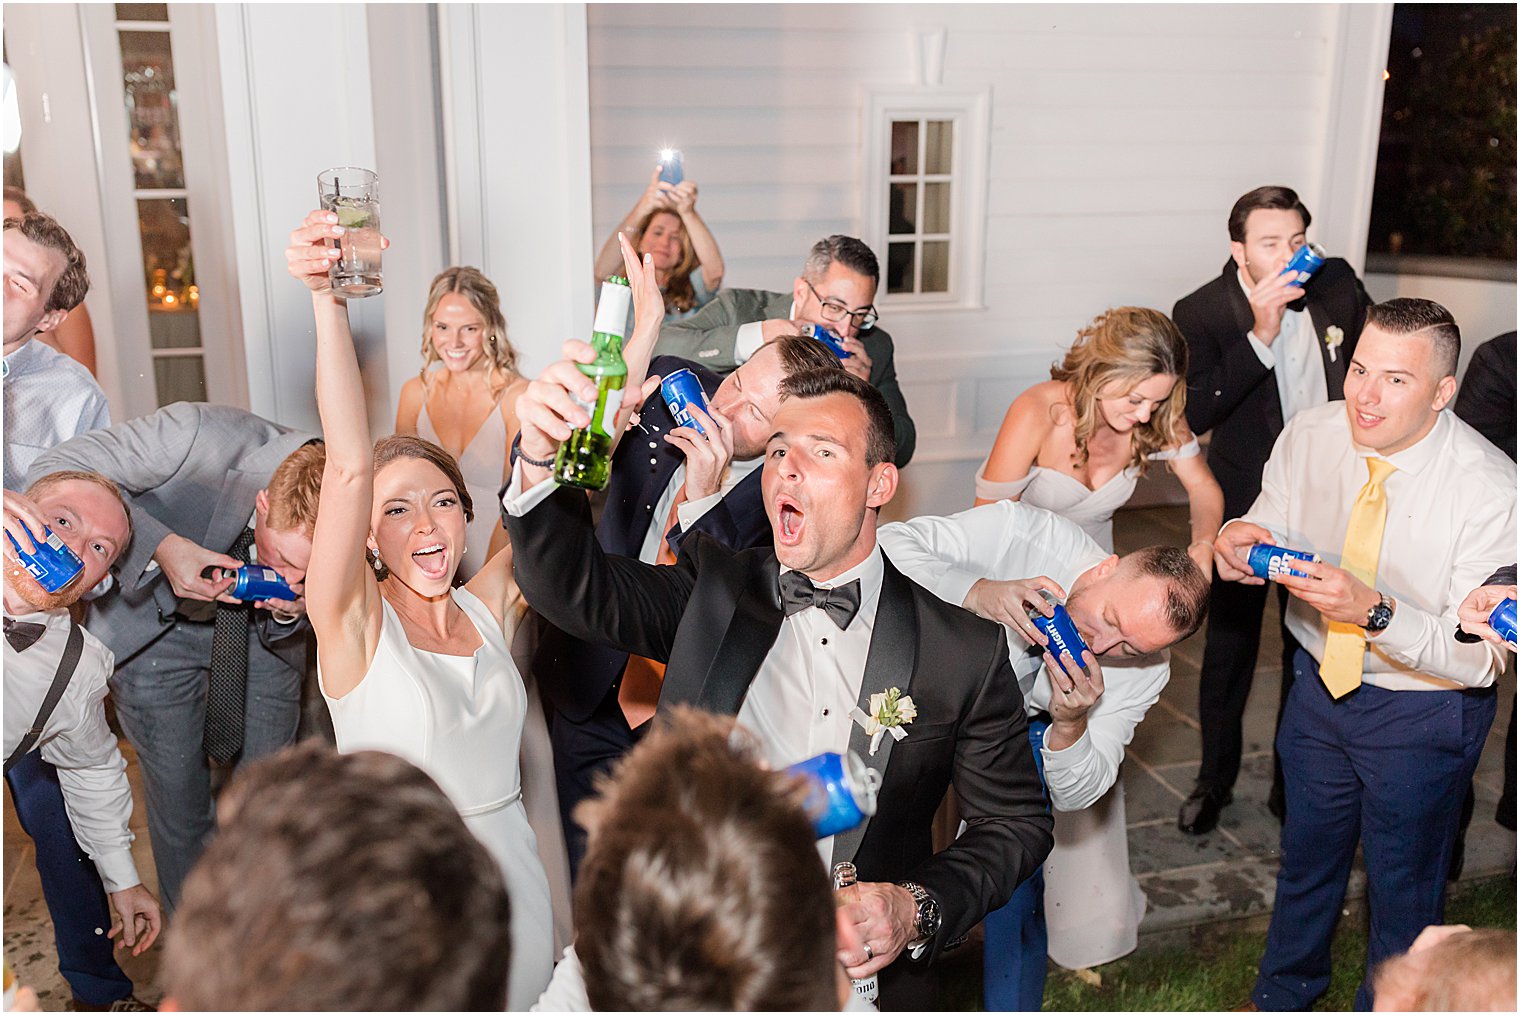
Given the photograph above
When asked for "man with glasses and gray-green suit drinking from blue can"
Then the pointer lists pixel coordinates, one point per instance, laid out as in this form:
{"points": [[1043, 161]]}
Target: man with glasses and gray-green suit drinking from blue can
{"points": [[835, 291]]}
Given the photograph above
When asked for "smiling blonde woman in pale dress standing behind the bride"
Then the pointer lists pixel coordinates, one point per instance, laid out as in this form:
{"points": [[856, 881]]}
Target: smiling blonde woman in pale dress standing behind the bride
{"points": [[464, 400]]}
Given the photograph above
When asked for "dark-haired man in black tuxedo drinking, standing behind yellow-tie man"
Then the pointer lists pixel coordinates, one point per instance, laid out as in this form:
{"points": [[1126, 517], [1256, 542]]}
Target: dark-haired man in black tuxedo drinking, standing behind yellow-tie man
{"points": [[1259, 350]]}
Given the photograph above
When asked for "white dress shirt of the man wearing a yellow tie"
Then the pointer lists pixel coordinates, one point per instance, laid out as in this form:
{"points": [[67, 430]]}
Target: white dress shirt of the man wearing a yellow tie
{"points": [[1451, 525]]}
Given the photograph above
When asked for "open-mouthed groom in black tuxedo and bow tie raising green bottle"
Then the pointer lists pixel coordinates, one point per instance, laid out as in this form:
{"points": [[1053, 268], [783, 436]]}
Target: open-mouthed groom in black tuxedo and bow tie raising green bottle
{"points": [[797, 640]]}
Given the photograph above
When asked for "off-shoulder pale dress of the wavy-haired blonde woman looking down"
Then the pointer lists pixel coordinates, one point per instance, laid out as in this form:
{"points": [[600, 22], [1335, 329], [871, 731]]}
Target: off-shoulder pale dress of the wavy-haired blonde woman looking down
{"points": [[1094, 905]]}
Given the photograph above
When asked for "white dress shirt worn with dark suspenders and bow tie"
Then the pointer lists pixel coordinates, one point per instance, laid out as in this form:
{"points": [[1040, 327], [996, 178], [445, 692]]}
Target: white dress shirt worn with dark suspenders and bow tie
{"points": [[77, 741]]}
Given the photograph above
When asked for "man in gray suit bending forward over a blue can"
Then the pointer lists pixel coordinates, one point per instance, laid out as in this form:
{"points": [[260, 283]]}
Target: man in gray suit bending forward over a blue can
{"points": [[198, 672]]}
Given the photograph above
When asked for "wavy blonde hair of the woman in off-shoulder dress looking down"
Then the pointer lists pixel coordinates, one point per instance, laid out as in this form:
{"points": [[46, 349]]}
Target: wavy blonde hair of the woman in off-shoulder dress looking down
{"points": [[1119, 350]]}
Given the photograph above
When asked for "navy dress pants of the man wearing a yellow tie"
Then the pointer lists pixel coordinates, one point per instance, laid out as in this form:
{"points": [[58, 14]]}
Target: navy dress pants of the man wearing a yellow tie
{"points": [[1384, 768]]}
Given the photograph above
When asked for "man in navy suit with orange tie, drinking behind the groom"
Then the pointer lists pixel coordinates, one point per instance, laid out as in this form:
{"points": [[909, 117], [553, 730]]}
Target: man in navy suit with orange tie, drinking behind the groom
{"points": [[660, 475]]}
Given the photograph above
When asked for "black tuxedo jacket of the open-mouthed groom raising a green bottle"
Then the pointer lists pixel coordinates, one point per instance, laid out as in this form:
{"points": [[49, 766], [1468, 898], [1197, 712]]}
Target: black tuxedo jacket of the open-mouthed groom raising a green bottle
{"points": [[717, 615]]}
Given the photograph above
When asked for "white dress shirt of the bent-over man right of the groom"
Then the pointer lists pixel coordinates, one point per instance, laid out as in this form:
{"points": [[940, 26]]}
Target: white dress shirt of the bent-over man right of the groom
{"points": [[1013, 540]]}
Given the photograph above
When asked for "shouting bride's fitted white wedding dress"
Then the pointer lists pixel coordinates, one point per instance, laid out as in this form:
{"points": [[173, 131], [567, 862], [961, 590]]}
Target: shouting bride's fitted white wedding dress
{"points": [[461, 721]]}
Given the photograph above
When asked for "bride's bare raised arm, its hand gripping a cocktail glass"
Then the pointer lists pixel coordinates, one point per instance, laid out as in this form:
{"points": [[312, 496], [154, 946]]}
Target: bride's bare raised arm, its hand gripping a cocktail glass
{"points": [[341, 592]]}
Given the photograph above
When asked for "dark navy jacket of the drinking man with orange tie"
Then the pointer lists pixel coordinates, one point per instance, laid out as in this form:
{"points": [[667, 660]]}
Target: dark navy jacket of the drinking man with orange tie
{"points": [[578, 674]]}
